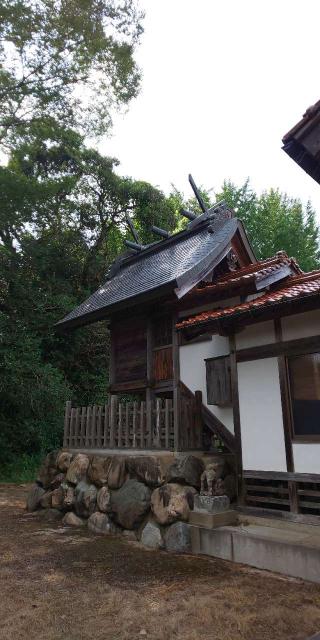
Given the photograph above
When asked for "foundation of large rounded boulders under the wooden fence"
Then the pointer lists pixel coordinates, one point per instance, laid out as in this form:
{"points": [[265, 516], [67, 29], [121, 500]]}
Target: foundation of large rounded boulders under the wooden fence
{"points": [[142, 497]]}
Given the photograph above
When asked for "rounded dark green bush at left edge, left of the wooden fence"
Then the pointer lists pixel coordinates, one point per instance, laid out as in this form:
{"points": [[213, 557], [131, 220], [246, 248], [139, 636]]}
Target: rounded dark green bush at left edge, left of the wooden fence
{"points": [[31, 394]]}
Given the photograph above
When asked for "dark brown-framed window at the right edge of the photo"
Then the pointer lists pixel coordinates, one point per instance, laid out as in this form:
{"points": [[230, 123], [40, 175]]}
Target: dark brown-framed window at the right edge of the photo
{"points": [[304, 379]]}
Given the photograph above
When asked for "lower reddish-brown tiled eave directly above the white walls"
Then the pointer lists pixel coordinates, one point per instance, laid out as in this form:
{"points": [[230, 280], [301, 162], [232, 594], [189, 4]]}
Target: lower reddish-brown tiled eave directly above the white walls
{"points": [[297, 287]]}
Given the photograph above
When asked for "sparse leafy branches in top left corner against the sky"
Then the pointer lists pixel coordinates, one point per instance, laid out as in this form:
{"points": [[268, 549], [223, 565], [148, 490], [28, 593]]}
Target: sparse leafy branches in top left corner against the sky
{"points": [[69, 61]]}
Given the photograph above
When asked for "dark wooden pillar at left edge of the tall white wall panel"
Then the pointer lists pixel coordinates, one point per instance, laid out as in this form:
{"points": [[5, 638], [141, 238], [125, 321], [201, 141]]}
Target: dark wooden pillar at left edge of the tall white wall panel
{"points": [[236, 416]]}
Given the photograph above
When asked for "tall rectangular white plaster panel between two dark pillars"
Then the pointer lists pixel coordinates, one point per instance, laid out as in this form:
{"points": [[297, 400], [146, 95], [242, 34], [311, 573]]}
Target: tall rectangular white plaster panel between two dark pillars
{"points": [[263, 446]]}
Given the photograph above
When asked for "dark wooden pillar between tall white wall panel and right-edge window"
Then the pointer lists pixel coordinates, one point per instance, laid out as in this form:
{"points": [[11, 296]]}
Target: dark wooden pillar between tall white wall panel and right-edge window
{"points": [[286, 418]]}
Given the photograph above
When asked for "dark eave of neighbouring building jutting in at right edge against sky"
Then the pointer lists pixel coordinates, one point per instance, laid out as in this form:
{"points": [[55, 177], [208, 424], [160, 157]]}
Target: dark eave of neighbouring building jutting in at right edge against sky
{"points": [[302, 142]]}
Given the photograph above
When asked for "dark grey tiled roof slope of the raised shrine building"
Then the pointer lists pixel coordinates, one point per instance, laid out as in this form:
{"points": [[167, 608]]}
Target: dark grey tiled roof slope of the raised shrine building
{"points": [[170, 263]]}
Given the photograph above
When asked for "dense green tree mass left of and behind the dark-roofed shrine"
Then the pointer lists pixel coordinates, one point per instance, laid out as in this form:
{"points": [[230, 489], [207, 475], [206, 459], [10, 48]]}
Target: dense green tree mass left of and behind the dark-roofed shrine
{"points": [[62, 228]]}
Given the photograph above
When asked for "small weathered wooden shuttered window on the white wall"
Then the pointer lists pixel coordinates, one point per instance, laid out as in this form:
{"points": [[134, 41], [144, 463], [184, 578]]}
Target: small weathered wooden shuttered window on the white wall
{"points": [[219, 381]]}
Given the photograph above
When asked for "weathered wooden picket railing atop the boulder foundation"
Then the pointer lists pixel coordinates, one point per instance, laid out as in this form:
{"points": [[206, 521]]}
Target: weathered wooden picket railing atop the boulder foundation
{"points": [[120, 425]]}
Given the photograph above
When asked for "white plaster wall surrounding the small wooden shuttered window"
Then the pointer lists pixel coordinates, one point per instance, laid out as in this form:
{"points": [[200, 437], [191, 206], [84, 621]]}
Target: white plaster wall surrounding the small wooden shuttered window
{"points": [[193, 372]]}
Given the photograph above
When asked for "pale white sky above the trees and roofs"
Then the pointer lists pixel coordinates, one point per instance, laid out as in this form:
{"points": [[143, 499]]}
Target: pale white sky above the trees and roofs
{"points": [[222, 82]]}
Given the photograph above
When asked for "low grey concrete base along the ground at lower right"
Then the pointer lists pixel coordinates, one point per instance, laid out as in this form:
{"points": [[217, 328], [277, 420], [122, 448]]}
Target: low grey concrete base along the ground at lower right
{"points": [[289, 551]]}
